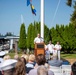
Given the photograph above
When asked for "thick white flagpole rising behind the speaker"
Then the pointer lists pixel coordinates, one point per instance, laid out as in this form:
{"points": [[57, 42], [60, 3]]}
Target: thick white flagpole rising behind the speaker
{"points": [[42, 18]]}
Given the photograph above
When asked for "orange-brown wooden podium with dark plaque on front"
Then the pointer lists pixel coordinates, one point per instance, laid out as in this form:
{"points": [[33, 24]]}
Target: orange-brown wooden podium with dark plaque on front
{"points": [[39, 48]]}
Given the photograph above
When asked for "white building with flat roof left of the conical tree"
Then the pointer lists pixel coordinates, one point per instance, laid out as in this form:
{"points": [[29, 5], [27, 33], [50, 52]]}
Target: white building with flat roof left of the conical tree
{"points": [[8, 42]]}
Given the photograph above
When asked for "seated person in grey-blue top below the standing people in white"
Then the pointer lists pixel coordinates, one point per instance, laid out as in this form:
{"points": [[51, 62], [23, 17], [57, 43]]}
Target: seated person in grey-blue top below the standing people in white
{"points": [[54, 61]]}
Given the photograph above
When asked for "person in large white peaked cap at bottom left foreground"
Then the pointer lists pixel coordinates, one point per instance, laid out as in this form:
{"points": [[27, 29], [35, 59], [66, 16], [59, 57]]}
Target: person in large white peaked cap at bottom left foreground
{"points": [[8, 67]]}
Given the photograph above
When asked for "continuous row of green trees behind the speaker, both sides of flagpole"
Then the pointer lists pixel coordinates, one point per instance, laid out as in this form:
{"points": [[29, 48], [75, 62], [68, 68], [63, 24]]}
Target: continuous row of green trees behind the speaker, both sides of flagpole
{"points": [[65, 34]]}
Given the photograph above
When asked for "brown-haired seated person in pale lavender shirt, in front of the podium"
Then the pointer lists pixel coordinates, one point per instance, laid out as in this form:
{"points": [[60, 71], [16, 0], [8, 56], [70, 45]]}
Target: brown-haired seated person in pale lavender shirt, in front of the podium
{"points": [[40, 60]]}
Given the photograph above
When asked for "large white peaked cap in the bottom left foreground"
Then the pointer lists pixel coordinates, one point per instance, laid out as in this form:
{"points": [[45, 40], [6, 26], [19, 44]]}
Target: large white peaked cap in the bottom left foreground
{"points": [[8, 64]]}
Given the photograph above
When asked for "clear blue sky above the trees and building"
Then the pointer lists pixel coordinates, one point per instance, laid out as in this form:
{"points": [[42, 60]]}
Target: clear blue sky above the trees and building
{"points": [[11, 10]]}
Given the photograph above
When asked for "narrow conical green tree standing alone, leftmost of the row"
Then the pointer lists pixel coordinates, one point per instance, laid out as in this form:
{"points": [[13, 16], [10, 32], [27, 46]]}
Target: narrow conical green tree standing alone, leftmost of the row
{"points": [[22, 39]]}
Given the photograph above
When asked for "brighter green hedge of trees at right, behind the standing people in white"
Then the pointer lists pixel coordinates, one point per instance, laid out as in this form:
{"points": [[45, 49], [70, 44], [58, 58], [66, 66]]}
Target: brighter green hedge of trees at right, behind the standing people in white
{"points": [[66, 35]]}
